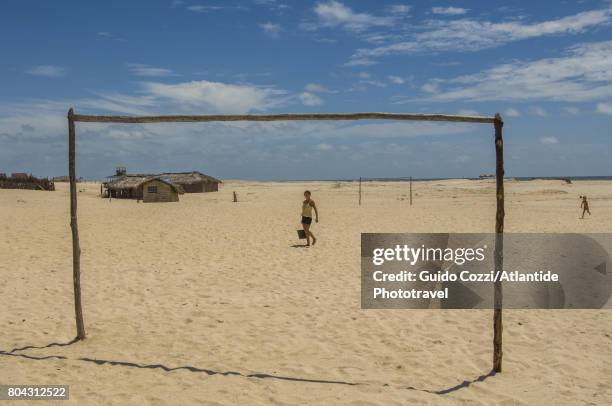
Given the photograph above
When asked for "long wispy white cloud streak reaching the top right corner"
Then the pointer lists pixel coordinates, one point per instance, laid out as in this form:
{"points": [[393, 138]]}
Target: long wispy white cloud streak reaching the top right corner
{"points": [[473, 35]]}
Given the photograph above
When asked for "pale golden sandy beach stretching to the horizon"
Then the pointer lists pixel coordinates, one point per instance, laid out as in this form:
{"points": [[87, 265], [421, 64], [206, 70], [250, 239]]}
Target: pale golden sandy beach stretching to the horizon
{"points": [[206, 301]]}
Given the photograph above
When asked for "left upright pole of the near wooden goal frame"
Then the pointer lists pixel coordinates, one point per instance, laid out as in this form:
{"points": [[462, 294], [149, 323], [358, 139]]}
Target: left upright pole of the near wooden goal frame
{"points": [[76, 249]]}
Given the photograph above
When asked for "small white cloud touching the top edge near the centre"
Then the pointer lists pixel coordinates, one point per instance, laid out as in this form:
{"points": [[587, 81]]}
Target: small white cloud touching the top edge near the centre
{"points": [[334, 13]]}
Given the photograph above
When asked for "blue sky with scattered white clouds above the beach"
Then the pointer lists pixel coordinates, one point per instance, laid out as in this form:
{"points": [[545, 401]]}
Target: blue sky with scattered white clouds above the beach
{"points": [[546, 67]]}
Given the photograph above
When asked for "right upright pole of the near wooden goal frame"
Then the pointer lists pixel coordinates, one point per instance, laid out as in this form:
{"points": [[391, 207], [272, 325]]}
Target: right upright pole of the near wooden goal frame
{"points": [[499, 243]]}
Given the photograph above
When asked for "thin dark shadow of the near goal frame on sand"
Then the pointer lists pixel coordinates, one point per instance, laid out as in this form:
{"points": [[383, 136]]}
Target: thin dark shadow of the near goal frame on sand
{"points": [[15, 352]]}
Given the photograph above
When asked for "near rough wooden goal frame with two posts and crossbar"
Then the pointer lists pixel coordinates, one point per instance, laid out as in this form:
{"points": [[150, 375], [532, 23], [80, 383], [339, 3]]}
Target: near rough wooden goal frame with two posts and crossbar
{"points": [[499, 180]]}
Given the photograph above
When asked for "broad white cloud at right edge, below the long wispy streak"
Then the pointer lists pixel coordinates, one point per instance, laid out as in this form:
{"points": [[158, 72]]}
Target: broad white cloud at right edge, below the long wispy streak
{"points": [[584, 73]]}
